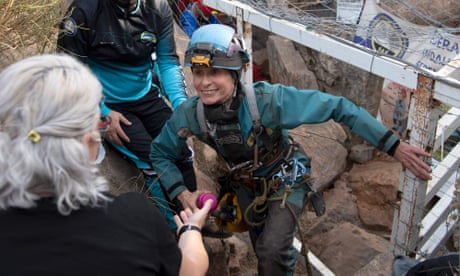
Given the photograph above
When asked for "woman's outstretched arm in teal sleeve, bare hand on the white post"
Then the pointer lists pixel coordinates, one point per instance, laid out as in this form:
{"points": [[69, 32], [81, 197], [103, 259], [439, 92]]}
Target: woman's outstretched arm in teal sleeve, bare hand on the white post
{"points": [[310, 106]]}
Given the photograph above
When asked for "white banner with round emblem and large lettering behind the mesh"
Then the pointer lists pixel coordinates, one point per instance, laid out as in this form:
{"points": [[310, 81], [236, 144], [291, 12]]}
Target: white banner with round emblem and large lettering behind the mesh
{"points": [[422, 46]]}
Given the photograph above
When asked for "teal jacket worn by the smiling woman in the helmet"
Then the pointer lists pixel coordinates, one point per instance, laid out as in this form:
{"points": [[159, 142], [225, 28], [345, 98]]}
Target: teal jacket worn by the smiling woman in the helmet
{"points": [[279, 107]]}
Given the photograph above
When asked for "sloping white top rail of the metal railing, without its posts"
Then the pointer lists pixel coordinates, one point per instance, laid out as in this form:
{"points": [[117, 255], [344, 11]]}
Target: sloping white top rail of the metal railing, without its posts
{"points": [[447, 89]]}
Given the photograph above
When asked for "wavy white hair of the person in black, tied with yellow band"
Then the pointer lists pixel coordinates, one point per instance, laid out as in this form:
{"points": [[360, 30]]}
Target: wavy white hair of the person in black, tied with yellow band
{"points": [[56, 99]]}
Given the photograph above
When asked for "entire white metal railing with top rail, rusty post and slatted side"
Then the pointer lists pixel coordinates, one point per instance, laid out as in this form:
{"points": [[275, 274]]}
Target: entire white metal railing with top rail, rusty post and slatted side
{"points": [[415, 229]]}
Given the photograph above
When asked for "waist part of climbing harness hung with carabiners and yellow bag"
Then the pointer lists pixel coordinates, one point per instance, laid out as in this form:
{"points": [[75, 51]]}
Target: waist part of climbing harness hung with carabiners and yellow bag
{"points": [[232, 216]]}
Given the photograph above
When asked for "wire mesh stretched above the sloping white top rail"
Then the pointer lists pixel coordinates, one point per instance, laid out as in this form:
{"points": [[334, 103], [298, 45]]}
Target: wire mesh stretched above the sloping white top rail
{"points": [[412, 21]]}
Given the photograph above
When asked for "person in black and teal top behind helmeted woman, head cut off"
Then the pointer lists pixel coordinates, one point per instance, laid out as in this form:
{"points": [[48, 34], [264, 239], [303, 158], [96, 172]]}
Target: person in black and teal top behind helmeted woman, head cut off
{"points": [[129, 45]]}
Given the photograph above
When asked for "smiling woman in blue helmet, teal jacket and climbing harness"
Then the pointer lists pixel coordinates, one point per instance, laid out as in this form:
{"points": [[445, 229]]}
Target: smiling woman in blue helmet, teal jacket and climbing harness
{"points": [[267, 182]]}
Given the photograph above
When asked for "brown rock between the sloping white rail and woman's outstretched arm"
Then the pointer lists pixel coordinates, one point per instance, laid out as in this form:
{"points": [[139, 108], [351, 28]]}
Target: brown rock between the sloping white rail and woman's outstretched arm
{"points": [[299, 66]]}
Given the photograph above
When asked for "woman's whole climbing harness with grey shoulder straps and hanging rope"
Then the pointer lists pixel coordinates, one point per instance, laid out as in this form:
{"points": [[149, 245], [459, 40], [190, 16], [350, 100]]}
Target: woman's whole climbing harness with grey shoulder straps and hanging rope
{"points": [[245, 198]]}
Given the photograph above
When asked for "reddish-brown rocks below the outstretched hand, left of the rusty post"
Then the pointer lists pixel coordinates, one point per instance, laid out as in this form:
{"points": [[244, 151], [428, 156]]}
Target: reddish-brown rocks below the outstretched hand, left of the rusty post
{"points": [[356, 228]]}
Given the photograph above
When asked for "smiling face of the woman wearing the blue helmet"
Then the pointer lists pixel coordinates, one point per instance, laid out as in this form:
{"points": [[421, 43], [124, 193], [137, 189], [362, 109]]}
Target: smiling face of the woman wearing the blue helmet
{"points": [[213, 85]]}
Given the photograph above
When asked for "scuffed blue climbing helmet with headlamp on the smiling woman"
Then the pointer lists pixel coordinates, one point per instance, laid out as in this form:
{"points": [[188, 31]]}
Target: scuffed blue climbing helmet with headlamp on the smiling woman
{"points": [[218, 46]]}
